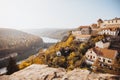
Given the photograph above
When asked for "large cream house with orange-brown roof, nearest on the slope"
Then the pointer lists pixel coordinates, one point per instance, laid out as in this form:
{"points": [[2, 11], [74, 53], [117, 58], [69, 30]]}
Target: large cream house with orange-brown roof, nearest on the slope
{"points": [[104, 56]]}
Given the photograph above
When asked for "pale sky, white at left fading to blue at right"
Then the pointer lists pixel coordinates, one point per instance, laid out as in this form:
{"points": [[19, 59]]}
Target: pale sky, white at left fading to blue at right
{"points": [[30, 14]]}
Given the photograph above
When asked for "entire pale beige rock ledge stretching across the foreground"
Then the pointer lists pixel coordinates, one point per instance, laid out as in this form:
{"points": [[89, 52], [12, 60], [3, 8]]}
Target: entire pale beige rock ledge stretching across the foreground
{"points": [[43, 72]]}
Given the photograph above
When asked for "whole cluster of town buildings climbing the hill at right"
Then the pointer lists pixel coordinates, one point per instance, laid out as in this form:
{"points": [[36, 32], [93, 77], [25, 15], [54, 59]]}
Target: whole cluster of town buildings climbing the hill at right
{"points": [[106, 51]]}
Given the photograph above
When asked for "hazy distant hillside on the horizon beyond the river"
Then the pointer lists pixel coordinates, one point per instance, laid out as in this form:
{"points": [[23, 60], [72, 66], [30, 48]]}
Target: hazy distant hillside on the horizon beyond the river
{"points": [[52, 33]]}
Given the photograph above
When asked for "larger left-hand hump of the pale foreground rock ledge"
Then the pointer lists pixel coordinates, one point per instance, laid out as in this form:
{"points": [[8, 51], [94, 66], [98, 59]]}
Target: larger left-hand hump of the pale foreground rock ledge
{"points": [[38, 72]]}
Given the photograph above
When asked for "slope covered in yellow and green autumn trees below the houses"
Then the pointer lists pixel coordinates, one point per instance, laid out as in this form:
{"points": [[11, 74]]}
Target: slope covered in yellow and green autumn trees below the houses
{"points": [[68, 54]]}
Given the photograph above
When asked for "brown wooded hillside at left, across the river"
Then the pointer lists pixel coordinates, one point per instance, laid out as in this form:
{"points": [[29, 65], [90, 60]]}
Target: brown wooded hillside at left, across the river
{"points": [[18, 43]]}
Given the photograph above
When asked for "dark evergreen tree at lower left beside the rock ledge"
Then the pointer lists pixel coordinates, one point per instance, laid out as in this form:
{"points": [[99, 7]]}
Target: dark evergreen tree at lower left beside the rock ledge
{"points": [[12, 67]]}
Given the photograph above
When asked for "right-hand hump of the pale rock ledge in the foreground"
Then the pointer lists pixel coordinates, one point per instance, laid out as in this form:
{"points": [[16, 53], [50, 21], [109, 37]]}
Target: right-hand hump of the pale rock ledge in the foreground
{"points": [[79, 74]]}
